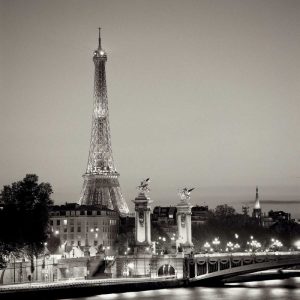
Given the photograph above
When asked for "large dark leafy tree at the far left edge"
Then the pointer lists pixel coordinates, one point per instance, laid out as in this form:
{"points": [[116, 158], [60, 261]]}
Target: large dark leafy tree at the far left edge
{"points": [[25, 215]]}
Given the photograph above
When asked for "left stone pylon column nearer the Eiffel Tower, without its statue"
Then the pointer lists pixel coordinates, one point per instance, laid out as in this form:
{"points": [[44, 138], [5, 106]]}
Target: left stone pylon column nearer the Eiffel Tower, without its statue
{"points": [[142, 223]]}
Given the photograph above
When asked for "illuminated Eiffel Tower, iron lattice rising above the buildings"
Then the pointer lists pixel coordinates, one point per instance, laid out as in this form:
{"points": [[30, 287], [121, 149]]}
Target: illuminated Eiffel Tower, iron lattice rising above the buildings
{"points": [[101, 181]]}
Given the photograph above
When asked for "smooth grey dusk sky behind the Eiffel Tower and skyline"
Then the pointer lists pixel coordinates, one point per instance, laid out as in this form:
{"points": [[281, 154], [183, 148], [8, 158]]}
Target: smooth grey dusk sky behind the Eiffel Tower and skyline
{"points": [[201, 94]]}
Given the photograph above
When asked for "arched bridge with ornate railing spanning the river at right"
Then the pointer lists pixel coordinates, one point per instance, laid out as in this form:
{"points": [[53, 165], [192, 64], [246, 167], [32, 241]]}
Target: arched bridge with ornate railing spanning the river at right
{"points": [[216, 267]]}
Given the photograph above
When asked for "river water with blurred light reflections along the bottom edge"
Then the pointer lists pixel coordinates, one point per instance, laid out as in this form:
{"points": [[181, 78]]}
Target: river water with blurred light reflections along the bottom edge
{"points": [[286, 289]]}
